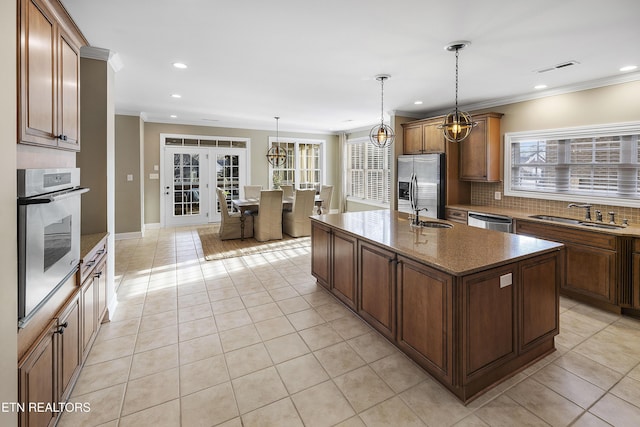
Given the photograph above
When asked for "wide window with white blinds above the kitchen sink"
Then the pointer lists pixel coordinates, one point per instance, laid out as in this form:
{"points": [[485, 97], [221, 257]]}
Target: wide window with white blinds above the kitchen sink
{"points": [[599, 164]]}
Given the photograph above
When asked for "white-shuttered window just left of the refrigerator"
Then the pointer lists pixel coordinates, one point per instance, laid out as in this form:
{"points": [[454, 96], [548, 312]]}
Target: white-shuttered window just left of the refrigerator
{"points": [[368, 171]]}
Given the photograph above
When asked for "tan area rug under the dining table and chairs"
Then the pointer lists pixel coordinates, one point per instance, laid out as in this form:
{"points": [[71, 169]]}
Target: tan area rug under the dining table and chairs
{"points": [[214, 248]]}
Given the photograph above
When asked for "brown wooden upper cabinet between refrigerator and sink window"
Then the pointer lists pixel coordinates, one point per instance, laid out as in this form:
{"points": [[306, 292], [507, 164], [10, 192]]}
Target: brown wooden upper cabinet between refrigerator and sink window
{"points": [[480, 152]]}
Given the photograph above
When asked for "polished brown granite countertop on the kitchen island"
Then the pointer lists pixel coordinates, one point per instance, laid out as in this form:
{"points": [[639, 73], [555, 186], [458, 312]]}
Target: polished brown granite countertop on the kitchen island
{"points": [[459, 250]]}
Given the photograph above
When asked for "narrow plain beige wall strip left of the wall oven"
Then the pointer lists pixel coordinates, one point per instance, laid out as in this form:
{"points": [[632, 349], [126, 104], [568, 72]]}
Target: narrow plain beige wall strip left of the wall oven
{"points": [[8, 212]]}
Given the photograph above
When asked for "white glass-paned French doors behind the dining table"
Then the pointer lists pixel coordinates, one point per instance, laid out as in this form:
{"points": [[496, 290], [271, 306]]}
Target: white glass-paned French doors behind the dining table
{"points": [[190, 178]]}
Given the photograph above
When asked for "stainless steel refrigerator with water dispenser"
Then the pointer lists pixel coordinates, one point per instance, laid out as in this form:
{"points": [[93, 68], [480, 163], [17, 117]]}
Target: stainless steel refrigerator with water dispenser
{"points": [[421, 184]]}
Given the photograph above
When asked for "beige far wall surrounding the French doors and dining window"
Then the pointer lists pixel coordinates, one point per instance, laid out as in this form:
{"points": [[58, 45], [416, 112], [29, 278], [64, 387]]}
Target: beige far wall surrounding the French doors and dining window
{"points": [[258, 162]]}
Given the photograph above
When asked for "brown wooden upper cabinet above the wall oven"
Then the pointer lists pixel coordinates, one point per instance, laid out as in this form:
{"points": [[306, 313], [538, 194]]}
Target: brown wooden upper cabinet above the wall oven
{"points": [[49, 75]]}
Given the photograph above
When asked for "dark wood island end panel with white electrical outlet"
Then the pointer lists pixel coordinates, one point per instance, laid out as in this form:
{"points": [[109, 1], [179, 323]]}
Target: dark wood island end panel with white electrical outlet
{"points": [[488, 305]]}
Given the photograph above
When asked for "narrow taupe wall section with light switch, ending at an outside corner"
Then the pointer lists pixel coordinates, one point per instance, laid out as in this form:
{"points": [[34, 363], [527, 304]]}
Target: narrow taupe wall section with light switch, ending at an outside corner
{"points": [[127, 197]]}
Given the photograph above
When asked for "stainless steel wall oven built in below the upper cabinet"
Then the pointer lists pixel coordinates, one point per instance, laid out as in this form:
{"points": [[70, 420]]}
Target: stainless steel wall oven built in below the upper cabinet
{"points": [[48, 234]]}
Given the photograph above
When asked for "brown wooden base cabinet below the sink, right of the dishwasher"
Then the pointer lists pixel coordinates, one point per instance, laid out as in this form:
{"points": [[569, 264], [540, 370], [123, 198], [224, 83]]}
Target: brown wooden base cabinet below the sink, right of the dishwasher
{"points": [[591, 262]]}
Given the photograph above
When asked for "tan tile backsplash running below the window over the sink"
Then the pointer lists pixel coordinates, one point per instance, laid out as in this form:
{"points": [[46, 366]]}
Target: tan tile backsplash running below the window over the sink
{"points": [[482, 194]]}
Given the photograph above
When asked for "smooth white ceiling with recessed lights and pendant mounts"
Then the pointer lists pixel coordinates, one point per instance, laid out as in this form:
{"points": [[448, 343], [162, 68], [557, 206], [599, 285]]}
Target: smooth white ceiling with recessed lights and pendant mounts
{"points": [[314, 62]]}
